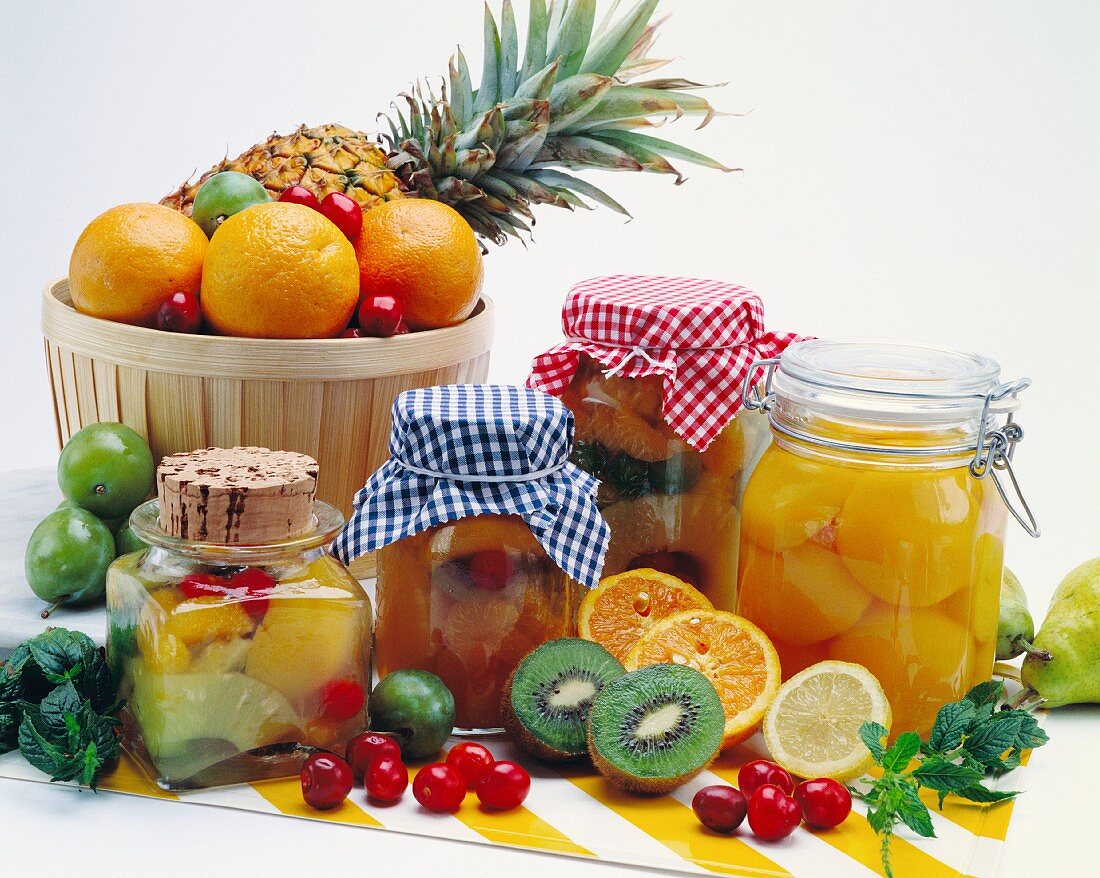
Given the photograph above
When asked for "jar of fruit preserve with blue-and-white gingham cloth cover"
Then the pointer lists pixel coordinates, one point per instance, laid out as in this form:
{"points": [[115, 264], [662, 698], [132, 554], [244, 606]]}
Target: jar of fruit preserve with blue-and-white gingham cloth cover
{"points": [[486, 534]]}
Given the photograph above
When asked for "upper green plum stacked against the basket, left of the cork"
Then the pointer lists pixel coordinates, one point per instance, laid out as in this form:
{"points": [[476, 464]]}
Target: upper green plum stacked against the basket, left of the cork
{"points": [[106, 469]]}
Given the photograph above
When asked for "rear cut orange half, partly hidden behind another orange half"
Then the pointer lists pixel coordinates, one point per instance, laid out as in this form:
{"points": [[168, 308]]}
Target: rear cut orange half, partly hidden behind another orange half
{"points": [[623, 608]]}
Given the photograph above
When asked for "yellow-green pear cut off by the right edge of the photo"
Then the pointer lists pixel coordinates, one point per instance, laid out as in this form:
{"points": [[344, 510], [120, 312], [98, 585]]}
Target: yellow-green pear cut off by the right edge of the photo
{"points": [[1071, 633]]}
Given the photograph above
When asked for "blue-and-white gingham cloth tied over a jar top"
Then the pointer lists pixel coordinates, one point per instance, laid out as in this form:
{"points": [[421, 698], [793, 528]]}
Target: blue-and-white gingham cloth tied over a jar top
{"points": [[475, 449]]}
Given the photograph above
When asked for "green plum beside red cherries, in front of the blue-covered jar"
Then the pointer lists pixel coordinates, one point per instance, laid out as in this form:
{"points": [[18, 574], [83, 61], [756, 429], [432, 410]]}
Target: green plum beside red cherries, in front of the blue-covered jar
{"points": [[417, 708]]}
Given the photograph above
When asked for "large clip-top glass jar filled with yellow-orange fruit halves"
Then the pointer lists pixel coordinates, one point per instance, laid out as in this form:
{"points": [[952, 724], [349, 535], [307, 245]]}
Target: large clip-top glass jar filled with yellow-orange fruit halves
{"points": [[870, 532]]}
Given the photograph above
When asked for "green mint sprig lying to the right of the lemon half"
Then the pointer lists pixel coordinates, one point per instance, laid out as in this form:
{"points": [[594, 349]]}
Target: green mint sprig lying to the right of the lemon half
{"points": [[972, 739]]}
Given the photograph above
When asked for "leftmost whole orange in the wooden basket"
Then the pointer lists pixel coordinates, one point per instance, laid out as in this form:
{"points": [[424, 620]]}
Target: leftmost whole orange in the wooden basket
{"points": [[129, 260]]}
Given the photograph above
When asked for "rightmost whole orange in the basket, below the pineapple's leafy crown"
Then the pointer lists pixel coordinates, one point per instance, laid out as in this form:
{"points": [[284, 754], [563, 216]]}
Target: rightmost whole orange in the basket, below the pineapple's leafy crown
{"points": [[426, 256]]}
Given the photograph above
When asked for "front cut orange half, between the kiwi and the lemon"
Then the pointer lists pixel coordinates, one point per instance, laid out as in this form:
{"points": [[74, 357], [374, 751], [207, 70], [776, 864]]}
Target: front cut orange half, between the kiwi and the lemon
{"points": [[734, 654]]}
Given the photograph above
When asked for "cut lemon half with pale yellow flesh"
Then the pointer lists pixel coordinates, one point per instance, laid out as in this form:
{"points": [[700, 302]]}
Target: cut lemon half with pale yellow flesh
{"points": [[812, 728]]}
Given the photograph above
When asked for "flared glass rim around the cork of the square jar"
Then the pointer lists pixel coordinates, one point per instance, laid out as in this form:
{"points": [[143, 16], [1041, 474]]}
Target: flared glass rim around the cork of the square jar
{"points": [[146, 522]]}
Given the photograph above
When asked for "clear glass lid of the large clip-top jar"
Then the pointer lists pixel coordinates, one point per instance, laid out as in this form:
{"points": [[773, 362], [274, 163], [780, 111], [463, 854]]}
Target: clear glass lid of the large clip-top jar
{"points": [[888, 382]]}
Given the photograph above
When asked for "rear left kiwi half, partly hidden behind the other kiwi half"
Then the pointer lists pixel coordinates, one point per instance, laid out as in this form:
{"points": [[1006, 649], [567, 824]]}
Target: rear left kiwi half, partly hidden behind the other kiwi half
{"points": [[547, 701]]}
